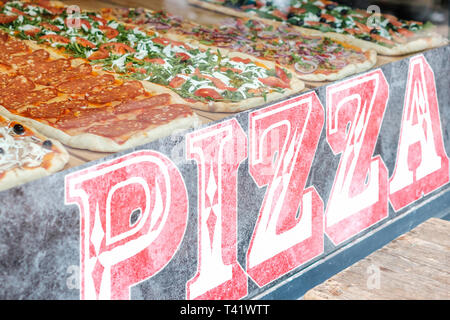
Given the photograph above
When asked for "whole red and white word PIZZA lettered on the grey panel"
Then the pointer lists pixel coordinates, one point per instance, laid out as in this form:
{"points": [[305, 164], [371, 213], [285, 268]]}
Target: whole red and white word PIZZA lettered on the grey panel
{"points": [[135, 208]]}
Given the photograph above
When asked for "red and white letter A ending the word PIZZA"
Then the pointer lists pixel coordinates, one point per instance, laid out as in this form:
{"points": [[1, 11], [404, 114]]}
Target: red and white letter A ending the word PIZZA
{"points": [[422, 164]]}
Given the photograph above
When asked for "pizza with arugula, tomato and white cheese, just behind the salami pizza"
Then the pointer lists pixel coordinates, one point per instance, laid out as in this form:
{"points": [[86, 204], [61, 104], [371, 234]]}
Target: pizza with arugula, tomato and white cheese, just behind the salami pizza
{"points": [[205, 79]]}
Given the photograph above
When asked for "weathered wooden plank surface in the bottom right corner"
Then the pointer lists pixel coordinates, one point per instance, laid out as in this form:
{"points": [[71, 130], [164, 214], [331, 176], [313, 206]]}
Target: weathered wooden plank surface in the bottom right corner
{"points": [[413, 266]]}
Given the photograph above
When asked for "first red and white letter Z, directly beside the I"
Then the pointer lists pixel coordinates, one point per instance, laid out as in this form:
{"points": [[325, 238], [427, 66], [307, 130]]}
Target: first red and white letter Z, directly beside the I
{"points": [[289, 230]]}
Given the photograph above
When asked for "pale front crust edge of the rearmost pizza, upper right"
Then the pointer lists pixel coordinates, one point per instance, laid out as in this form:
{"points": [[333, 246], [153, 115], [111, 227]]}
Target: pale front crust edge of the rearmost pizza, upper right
{"points": [[426, 42]]}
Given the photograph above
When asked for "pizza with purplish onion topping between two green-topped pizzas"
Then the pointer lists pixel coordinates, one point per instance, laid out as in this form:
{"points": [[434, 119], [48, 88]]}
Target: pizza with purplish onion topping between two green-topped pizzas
{"points": [[311, 58]]}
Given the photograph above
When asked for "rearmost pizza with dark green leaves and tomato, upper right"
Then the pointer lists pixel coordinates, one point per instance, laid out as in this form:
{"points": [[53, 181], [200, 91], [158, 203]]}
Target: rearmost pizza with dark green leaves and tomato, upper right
{"points": [[384, 33]]}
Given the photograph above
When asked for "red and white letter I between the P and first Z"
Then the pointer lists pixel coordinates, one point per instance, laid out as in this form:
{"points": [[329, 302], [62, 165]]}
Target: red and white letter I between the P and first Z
{"points": [[218, 151]]}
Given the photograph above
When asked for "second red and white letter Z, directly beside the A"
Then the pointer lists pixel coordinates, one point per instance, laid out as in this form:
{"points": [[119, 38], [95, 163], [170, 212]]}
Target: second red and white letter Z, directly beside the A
{"points": [[358, 199]]}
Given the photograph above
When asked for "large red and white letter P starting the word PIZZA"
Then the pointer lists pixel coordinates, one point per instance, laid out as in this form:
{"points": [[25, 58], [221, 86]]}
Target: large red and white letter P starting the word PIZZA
{"points": [[133, 217]]}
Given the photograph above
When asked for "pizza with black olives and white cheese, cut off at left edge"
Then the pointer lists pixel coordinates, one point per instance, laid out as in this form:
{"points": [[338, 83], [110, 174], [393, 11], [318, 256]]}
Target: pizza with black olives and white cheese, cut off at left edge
{"points": [[27, 155]]}
